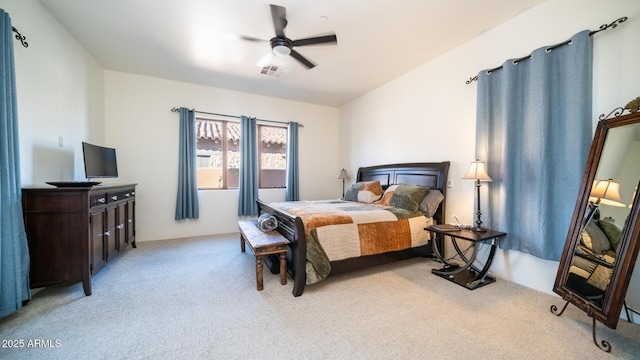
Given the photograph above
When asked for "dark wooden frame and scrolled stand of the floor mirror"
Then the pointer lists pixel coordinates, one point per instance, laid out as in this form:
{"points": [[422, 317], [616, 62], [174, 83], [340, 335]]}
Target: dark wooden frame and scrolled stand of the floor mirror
{"points": [[607, 309]]}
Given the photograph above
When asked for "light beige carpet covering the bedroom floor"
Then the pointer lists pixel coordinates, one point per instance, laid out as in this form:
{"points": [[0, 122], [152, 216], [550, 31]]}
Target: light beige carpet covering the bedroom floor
{"points": [[196, 299]]}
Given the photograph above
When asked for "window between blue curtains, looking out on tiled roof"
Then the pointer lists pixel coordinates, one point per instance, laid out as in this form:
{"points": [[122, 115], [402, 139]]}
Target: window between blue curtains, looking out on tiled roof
{"points": [[218, 155]]}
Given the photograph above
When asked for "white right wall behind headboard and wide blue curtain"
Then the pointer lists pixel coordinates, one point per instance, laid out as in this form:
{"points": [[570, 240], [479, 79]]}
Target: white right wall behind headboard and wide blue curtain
{"points": [[429, 113]]}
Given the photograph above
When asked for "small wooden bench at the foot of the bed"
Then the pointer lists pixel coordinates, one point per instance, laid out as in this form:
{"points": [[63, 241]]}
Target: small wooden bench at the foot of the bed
{"points": [[263, 243]]}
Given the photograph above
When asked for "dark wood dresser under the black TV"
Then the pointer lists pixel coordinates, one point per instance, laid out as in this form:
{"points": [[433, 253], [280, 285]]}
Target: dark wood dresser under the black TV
{"points": [[73, 232]]}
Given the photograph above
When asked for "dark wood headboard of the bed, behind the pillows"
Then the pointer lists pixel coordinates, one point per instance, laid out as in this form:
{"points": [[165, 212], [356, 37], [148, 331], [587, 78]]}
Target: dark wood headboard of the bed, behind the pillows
{"points": [[431, 175]]}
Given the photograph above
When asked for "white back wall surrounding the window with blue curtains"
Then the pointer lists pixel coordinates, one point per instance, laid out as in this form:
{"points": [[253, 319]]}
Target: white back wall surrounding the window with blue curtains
{"points": [[141, 126]]}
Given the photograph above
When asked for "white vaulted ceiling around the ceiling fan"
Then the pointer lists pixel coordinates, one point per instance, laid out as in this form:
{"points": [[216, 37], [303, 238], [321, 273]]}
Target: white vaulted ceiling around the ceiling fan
{"points": [[192, 40]]}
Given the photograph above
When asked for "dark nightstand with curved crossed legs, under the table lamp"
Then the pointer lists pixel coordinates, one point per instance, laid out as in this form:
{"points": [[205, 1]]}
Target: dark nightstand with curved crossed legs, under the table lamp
{"points": [[467, 274]]}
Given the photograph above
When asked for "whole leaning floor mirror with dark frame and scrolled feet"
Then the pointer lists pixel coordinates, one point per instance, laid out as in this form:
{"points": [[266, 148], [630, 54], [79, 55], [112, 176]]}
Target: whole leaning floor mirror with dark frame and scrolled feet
{"points": [[603, 239]]}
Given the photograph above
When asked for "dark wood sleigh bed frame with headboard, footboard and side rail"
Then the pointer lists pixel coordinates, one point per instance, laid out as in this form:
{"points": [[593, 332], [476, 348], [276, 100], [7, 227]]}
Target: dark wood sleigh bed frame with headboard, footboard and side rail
{"points": [[431, 175]]}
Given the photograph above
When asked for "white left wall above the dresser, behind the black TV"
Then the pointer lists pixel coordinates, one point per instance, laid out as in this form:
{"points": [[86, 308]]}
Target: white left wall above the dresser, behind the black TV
{"points": [[60, 94]]}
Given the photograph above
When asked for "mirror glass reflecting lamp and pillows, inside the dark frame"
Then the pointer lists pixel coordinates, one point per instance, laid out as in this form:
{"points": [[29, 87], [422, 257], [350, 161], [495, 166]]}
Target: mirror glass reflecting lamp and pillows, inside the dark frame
{"points": [[610, 203]]}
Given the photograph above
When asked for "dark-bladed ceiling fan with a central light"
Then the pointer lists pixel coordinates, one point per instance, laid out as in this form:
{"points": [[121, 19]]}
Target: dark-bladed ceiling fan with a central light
{"points": [[282, 45]]}
